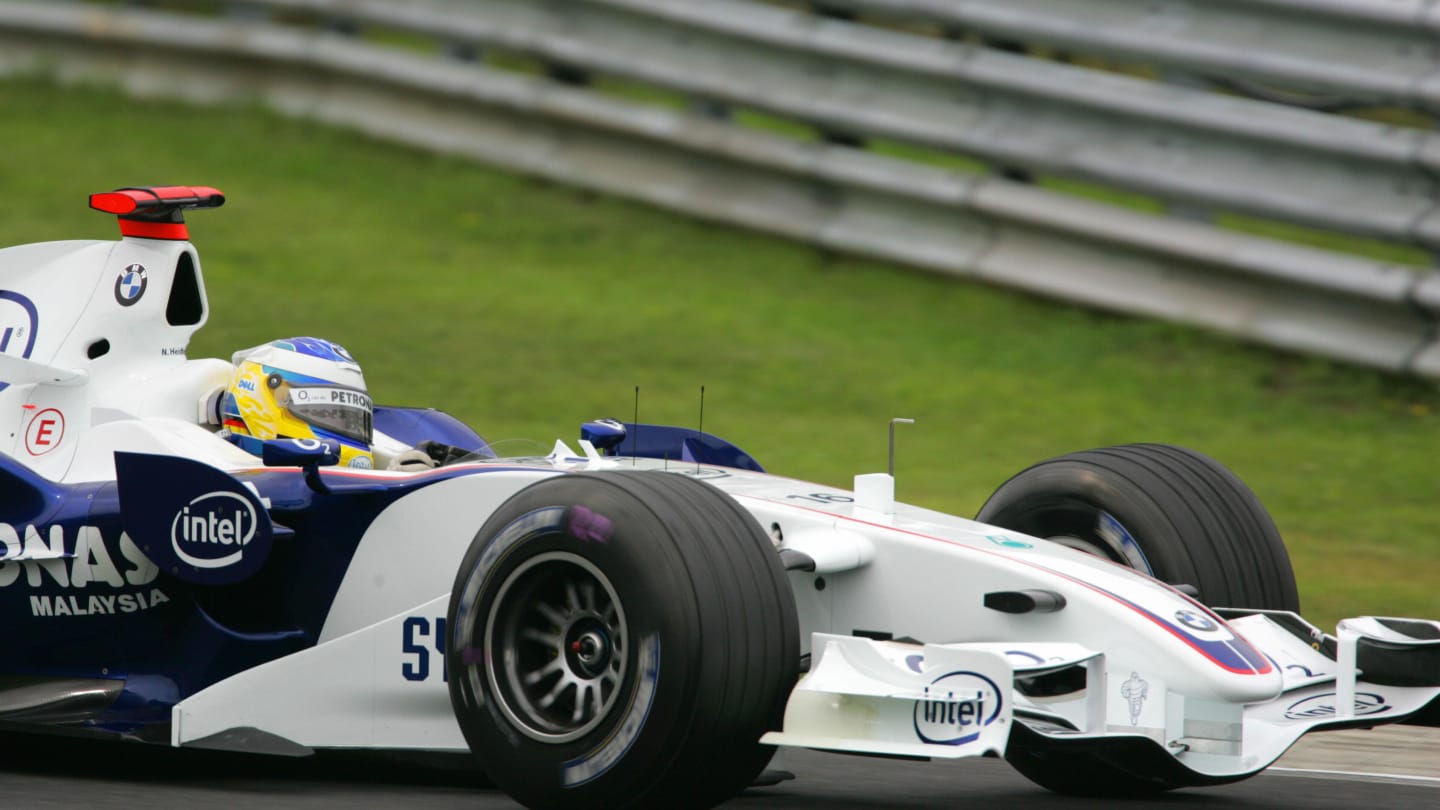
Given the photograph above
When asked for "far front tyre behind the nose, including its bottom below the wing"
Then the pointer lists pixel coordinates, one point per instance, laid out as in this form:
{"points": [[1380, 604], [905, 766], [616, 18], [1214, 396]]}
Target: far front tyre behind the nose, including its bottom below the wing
{"points": [[1169, 512]]}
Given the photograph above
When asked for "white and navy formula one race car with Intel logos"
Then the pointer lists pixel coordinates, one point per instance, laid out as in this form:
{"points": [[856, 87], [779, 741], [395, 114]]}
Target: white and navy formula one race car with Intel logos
{"points": [[636, 623]]}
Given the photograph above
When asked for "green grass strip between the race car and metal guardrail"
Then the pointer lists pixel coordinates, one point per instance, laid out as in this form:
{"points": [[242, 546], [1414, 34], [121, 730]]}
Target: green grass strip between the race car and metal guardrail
{"points": [[526, 309]]}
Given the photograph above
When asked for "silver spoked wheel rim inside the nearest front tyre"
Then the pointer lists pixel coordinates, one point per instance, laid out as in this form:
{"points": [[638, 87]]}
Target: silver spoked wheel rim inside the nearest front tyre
{"points": [[558, 641]]}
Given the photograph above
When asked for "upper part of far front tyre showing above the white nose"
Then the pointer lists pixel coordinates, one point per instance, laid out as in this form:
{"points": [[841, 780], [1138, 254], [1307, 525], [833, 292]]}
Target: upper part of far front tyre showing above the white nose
{"points": [[1170, 512]]}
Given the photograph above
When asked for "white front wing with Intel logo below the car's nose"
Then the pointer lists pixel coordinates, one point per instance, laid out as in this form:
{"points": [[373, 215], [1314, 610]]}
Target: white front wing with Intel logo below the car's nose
{"points": [[953, 701]]}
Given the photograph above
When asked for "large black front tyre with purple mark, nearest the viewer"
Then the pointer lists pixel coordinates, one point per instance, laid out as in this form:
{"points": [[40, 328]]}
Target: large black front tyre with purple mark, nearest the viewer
{"points": [[618, 641]]}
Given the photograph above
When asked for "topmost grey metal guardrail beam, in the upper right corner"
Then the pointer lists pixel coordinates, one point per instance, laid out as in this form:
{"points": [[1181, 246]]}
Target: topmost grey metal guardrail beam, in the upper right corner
{"points": [[1347, 53]]}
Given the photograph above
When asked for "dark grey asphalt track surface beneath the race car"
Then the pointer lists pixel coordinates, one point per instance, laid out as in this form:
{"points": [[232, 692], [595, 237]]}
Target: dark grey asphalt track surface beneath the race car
{"points": [[53, 773]]}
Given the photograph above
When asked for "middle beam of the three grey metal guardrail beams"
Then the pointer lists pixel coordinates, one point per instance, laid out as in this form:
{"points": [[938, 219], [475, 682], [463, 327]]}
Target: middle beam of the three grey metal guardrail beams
{"points": [[1183, 146]]}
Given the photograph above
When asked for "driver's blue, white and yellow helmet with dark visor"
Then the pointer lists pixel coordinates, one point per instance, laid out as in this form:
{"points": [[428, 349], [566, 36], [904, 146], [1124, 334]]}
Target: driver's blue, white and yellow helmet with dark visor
{"points": [[300, 388]]}
